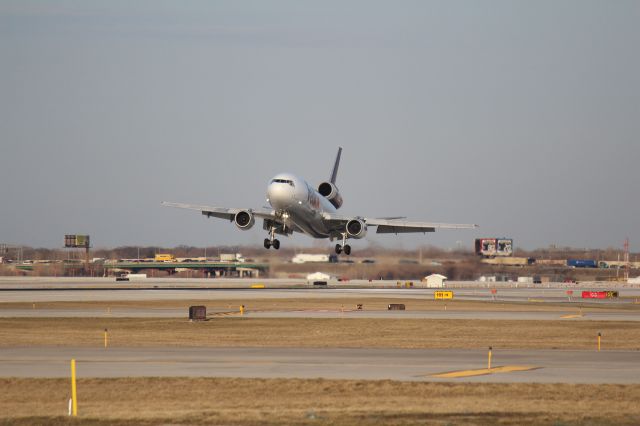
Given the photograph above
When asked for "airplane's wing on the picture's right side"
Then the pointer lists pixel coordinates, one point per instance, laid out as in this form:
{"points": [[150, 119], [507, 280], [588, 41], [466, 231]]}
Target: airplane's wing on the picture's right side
{"points": [[393, 225]]}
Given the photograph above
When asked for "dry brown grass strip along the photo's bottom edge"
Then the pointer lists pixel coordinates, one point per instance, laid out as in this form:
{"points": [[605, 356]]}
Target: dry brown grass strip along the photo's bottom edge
{"points": [[182, 401]]}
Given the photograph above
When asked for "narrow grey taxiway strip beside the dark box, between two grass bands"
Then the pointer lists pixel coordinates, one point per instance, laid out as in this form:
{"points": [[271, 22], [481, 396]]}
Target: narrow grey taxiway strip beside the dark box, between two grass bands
{"points": [[484, 314]]}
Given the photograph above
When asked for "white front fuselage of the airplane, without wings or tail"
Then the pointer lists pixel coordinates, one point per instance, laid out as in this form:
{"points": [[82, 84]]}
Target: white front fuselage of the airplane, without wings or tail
{"points": [[299, 205]]}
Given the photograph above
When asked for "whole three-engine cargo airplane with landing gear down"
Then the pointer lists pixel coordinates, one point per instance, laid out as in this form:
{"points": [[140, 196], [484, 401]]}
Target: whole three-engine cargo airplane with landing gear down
{"points": [[296, 206]]}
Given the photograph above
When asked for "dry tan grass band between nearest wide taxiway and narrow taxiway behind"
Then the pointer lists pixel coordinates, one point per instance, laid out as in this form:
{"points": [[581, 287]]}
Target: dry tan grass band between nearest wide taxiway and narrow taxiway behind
{"points": [[236, 331]]}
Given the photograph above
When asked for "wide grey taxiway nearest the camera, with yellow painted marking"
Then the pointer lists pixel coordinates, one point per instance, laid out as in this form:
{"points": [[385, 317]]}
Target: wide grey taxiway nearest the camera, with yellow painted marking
{"points": [[369, 364]]}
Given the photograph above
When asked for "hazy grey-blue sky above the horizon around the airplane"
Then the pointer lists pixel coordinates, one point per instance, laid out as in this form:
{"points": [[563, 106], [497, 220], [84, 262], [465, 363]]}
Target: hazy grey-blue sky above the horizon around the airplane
{"points": [[521, 116]]}
